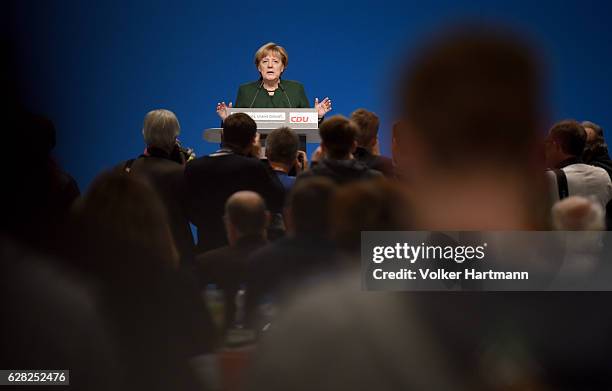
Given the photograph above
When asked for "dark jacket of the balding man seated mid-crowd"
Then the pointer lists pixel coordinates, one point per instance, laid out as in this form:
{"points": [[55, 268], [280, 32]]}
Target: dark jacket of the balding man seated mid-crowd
{"points": [[226, 267]]}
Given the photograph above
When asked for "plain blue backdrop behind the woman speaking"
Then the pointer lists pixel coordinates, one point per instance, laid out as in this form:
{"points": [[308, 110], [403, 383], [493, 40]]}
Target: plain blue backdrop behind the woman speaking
{"points": [[96, 69]]}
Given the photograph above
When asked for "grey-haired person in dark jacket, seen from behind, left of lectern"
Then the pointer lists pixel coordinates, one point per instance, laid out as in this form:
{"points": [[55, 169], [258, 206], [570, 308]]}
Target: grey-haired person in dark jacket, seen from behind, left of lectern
{"points": [[162, 165]]}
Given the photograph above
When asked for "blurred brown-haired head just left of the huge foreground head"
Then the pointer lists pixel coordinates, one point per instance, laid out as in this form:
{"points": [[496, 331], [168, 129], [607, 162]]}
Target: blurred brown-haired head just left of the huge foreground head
{"points": [[375, 205]]}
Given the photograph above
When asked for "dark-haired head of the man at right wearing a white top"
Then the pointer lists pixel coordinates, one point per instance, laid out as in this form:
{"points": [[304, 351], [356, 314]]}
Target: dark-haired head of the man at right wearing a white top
{"points": [[566, 139]]}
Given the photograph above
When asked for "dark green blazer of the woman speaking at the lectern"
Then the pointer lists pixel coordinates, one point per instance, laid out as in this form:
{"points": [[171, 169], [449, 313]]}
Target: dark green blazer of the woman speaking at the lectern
{"points": [[250, 95]]}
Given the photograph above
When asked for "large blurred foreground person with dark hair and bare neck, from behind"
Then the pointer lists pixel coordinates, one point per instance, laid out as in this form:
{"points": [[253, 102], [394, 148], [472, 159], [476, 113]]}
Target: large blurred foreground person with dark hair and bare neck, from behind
{"points": [[466, 138]]}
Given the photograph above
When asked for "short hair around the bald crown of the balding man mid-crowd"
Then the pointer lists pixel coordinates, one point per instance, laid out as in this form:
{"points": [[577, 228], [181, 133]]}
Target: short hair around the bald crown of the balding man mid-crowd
{"points": [[249, 217]]}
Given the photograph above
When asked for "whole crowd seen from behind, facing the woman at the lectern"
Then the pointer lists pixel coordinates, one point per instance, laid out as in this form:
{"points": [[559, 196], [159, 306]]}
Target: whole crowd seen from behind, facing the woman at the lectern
{"points": [[278, 242]]}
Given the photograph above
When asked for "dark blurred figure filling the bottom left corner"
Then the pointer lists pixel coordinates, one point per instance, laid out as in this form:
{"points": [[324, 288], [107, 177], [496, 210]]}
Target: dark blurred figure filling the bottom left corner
{"points": [[51, 322]]}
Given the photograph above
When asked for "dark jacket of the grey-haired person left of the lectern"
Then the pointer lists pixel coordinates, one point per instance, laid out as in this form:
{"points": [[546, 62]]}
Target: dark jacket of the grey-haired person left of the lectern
{"points": [[166, 177]]}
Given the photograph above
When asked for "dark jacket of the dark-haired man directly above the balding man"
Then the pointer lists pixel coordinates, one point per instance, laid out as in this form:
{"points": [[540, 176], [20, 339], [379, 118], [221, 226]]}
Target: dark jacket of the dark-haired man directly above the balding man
{"points": [[211, 180]]}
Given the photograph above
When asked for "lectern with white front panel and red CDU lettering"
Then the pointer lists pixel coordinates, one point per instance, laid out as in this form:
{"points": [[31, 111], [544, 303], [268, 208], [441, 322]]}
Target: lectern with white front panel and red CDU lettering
{"points": [[305, 122]]}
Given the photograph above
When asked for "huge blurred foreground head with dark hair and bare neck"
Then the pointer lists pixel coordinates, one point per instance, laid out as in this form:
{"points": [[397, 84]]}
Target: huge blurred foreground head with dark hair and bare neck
{"points": [[467, 137]]}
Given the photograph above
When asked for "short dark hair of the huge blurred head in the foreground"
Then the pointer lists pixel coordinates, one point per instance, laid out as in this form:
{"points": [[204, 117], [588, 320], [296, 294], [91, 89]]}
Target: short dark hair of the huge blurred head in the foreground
{"points": [[473, 96]]}
